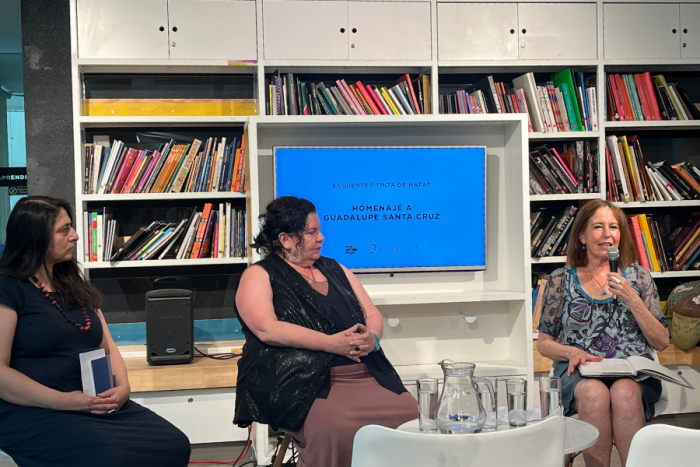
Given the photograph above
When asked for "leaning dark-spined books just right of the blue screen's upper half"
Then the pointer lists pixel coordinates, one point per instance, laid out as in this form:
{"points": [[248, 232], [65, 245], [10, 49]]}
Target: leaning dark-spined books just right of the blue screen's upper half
{"points": [[574, 170]]}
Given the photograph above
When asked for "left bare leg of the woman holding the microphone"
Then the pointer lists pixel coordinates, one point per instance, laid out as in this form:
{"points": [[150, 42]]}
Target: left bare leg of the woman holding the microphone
{"points": [[592, 402]]}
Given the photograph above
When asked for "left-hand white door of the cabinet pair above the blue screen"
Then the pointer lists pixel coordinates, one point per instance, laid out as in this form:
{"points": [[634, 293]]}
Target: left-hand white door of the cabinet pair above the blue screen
{"points": [[311, 30]]}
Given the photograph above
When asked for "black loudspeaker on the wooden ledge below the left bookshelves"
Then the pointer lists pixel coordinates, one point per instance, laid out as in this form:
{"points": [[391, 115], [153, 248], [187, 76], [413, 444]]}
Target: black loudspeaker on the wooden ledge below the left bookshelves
{"points": [[169, 326]]}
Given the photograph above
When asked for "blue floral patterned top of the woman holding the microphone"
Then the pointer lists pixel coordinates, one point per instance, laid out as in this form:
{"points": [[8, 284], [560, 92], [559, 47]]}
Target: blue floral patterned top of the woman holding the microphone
{"points": [[571, 316]]}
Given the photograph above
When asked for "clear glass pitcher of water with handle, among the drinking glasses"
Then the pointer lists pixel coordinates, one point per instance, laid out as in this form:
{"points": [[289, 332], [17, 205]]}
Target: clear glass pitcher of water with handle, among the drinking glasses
{"points": [[459, 409]]}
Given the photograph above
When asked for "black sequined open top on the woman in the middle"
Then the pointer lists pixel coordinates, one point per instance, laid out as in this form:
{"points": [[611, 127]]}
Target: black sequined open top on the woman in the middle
{"points": [[278, 385]]}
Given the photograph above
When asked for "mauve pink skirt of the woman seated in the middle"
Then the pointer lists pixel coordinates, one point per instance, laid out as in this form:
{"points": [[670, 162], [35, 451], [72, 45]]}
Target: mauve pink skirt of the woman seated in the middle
{"points": [[355, 400]]}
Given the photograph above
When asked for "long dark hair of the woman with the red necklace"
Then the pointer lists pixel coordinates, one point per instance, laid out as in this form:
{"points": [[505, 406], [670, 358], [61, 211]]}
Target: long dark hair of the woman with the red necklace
{"points": [[29, 234]]}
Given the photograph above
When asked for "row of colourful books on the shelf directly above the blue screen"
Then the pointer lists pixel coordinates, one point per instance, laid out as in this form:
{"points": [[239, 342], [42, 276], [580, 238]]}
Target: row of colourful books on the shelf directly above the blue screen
{"points": [[287, 95]]}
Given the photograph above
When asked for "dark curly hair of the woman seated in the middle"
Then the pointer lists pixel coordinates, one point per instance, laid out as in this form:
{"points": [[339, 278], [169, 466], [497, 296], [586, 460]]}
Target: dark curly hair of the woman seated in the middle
{"points": [[286, 214]]}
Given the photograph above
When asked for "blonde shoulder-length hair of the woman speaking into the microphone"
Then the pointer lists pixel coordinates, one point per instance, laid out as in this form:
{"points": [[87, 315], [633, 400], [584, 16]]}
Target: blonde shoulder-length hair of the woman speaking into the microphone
{"points": [[576, 255]]}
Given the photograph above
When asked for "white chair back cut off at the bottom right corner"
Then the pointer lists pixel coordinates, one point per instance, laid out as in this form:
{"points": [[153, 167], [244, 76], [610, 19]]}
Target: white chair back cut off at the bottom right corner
{"points": [[656, 445]]}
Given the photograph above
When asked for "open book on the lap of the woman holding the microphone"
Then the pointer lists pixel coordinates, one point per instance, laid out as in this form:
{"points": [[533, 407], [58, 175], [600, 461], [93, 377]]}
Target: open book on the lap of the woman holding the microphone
{"points": [[636, 367]]}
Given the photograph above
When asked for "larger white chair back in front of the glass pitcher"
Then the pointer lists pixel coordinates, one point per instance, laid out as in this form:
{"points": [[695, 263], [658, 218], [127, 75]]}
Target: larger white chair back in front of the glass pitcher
{"points": [[538, 445]]}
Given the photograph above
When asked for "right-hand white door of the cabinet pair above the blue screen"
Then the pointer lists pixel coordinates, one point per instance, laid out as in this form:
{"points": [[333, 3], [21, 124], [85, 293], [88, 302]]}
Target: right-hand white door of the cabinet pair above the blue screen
{"points": [[389, 31]]}
